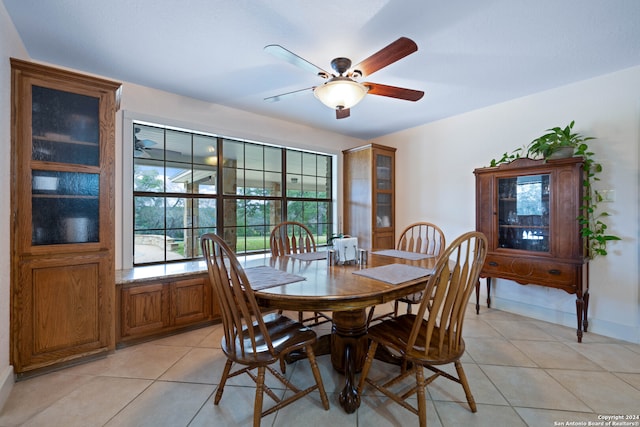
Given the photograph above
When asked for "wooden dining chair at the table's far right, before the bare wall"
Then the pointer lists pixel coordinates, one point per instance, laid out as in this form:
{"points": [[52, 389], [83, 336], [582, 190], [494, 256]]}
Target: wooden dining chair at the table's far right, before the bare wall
{"points": [[420, 237]]}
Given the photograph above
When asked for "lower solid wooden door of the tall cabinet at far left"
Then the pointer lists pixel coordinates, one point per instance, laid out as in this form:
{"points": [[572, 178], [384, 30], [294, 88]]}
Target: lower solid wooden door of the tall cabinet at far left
{"points": [[60, 310]]}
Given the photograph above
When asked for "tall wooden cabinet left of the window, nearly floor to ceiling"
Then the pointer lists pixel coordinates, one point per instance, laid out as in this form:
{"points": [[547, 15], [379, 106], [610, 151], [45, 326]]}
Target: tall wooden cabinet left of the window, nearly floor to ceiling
{"points": [[62, 216]]}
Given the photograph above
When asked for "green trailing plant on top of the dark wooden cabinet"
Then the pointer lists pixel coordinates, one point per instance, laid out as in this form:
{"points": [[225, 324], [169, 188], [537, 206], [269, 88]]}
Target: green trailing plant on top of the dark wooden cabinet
{"points": [[559, 143]]}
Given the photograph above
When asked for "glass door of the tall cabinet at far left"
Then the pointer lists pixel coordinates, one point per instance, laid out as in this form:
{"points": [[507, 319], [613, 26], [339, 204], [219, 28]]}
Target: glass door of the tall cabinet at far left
{"points": [[65, 140]]}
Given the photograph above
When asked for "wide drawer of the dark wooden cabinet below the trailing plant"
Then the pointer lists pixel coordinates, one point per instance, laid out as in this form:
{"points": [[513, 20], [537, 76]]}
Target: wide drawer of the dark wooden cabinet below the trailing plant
{"points": [[533, 271]]}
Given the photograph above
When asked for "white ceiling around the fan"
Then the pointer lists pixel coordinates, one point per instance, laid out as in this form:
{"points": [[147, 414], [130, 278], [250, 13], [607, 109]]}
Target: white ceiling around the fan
{"points": [[471, 53]]}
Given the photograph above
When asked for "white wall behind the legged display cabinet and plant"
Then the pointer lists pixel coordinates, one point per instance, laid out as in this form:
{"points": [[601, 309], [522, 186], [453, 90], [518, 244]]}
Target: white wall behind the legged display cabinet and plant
{"points": [[440, 157]]}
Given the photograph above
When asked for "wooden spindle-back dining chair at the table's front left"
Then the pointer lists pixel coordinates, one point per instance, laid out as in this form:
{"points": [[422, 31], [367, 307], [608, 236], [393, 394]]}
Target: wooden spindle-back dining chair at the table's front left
{"points": [[251, 340]]}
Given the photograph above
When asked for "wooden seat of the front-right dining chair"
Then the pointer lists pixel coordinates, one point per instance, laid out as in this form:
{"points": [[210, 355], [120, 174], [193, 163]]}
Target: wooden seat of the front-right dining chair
{"points": [[394, 333]]}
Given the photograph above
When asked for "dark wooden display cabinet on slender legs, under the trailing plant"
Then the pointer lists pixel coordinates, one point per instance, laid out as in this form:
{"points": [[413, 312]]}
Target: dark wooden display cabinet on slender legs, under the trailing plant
{"points": [[528, 210]]}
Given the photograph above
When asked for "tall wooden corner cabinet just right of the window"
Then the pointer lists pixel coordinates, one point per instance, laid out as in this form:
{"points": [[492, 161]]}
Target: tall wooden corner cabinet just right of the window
{"points": [[369, 195]]}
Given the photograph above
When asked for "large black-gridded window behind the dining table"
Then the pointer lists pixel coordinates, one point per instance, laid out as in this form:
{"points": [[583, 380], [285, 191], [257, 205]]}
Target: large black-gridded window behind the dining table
{"points": [[186, 184]]}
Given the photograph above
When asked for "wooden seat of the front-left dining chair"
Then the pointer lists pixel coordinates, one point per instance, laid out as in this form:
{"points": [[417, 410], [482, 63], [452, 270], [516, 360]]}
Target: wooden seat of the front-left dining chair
{"points": [[286, 335]]}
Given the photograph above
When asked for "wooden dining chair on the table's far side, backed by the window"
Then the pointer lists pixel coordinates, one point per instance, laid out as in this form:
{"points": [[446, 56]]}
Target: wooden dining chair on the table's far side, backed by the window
{"points": [[291, 237]]}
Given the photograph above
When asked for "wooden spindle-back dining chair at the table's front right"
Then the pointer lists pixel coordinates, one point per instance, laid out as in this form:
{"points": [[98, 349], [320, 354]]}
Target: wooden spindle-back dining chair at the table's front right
{"points": [[437, 339]]}
